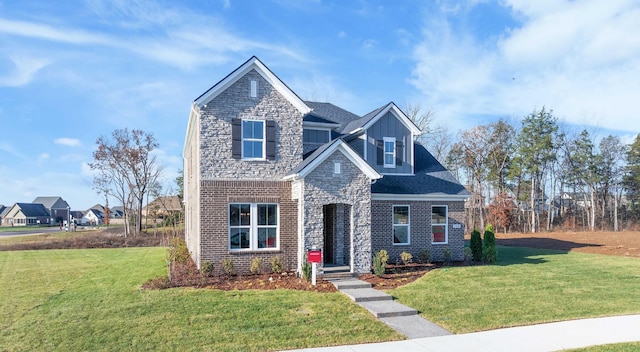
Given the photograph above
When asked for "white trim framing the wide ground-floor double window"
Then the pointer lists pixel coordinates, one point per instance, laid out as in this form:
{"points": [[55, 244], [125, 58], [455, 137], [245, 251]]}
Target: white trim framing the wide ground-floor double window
{"points": [[253, 228]]}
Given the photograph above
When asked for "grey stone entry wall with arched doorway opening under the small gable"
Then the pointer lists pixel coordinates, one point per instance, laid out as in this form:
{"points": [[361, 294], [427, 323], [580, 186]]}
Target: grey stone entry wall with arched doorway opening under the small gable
{"points": [[322, 186]]}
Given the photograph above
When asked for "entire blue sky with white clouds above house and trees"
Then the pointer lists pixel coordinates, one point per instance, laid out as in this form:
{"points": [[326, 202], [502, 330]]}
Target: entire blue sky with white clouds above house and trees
{"points": [[71, 71]]}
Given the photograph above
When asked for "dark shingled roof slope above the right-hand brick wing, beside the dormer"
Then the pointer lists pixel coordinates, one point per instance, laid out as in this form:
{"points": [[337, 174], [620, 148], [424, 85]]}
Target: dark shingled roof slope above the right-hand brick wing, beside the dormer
{"points": [[431, 180]]}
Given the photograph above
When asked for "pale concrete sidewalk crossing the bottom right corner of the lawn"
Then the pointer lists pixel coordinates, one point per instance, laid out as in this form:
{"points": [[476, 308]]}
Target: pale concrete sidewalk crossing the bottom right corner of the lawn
{"points": [[533, 338]]}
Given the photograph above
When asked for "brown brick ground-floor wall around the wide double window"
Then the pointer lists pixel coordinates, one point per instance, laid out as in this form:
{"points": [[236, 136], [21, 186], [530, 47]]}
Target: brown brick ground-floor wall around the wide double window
{"points": [[214, 216]]}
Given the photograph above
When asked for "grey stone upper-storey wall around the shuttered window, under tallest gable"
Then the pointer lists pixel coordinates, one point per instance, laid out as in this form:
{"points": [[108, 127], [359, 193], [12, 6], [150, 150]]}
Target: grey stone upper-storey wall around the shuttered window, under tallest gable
{"points": [[235, 102]]}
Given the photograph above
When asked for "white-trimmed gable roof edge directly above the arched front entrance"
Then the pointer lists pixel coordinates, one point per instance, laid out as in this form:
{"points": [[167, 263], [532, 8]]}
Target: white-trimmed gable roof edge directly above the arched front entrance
{"points": [[321, 154]]}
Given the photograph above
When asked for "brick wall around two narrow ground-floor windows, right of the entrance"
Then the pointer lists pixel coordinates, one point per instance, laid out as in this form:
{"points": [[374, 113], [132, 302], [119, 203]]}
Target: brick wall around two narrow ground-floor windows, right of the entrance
{"points": [[420, 227]]}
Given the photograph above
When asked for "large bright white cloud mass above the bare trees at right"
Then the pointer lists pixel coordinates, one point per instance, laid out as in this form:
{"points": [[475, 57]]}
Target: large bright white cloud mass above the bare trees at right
{"points": [[581, 59]]}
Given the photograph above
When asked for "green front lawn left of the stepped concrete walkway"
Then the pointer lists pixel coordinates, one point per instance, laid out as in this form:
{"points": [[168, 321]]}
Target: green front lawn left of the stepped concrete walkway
{"points": [[76, 300]]}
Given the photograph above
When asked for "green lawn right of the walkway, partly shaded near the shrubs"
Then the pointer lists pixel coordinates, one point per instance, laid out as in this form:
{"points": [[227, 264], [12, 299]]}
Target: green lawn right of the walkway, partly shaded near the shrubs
{"points": [[526, 286]]}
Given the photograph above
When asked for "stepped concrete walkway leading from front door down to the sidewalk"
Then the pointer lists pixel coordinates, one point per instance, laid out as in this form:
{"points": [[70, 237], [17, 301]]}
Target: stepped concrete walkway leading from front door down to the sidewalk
{"points": [[403, 319]]}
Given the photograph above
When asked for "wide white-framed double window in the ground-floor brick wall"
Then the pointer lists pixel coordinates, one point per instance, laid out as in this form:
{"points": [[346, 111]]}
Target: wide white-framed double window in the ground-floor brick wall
{"points": [[253, 226]]}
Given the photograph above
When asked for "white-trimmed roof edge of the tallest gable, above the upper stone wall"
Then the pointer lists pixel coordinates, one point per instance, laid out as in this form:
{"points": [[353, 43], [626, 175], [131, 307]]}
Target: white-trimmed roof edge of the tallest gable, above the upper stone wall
{"points": [[253, 64]]}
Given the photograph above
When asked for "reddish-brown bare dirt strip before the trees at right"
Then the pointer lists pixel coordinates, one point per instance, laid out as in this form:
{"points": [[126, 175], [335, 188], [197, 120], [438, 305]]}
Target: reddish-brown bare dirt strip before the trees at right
{"points": [[610, 243]]}
